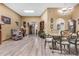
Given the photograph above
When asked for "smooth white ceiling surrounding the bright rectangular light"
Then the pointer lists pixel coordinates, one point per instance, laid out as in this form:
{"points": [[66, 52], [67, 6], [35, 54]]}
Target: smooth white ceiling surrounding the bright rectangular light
{"points": [[37, 7]]}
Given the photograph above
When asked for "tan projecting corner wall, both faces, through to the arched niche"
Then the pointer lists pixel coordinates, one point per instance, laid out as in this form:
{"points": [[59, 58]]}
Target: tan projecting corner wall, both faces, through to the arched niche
{"points": [[53, 13]]}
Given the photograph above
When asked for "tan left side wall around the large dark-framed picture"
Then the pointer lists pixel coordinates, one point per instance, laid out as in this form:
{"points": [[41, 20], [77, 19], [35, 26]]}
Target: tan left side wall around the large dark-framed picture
{"points": [[6, 28]]}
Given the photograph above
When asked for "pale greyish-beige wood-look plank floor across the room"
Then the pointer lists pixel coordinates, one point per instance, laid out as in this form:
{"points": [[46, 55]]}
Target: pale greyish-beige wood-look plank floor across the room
{"points": [[29, 46]]}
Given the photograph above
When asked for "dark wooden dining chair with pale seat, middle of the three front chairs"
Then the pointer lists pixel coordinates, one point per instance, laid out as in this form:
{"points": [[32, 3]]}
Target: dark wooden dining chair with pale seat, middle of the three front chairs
{"points": [[64, 40]]}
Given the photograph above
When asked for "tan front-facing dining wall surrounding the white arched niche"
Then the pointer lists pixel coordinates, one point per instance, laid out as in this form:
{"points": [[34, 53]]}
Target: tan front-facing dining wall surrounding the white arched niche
{"points": [[53, 13]]}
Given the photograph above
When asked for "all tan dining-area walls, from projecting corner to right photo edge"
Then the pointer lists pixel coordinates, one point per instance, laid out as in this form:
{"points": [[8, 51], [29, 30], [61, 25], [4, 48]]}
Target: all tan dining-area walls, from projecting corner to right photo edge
{"points": [[53, 13]]}
